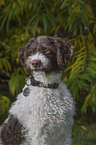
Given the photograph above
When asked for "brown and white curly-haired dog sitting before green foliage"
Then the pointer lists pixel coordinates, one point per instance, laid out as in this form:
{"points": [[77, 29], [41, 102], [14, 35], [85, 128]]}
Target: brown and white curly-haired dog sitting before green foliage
{"points": [[43, 113]]}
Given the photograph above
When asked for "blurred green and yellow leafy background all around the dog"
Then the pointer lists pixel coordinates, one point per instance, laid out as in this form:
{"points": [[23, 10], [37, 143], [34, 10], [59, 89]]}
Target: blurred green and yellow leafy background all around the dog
{"points": [[73, 20]]}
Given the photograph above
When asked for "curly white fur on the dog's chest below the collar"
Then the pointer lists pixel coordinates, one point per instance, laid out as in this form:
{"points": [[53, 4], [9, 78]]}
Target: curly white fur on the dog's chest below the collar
{"points": [[44, 110]]}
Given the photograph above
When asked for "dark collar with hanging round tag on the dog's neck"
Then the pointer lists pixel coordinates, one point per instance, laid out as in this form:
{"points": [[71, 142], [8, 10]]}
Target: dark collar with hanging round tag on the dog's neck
{"points": [[33, 82]]}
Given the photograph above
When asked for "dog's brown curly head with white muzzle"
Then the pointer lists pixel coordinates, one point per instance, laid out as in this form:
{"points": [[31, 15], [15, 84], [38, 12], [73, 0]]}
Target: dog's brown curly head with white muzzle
{"points": [[46, 54]]}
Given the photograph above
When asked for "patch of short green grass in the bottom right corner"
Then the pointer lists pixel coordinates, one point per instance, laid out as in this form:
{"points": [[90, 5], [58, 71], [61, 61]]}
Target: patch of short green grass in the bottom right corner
{"points": [[84, 134]]}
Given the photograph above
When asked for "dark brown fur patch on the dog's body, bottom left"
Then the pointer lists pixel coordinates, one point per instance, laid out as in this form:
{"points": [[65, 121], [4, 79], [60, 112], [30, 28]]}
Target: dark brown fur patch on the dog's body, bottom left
{"points": [[11, 133]]}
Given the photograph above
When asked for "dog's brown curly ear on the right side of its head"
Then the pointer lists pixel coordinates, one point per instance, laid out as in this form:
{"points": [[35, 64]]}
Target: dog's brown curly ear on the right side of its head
{"points": [[64, 52]]}
